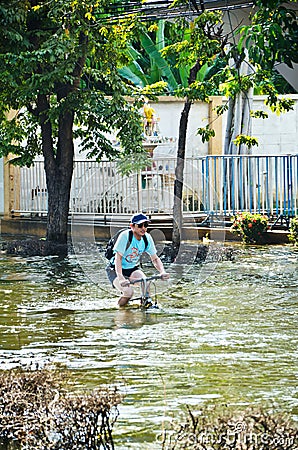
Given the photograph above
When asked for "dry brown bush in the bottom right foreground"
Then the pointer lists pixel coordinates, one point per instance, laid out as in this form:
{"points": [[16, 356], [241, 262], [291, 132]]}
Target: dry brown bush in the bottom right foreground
{"points": [[218, 430]]}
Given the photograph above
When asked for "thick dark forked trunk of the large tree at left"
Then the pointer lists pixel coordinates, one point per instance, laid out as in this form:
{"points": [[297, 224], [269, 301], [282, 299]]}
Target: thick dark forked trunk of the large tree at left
{"points": [[59, 161]]}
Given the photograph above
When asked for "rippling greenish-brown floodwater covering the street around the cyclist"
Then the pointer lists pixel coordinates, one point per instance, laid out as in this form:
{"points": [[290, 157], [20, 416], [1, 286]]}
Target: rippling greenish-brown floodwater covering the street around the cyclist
{"points": [[231, 340]]}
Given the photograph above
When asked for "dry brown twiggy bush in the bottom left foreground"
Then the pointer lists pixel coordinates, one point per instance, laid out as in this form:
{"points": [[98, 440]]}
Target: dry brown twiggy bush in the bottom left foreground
{"points": [[37, 412]]}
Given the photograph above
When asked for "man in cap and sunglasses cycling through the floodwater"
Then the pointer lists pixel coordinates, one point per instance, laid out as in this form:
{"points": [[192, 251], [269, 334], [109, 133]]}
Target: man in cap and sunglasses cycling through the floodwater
{"points": [[128, 249]]}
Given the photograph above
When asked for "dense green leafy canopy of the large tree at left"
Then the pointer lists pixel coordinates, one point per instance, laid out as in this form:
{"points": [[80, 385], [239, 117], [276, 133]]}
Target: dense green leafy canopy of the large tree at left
{"points": [[56, 57]]}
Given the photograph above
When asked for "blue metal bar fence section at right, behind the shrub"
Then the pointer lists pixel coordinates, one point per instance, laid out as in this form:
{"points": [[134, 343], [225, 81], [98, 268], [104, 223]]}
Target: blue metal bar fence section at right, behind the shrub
{"points": [[261, 184]]}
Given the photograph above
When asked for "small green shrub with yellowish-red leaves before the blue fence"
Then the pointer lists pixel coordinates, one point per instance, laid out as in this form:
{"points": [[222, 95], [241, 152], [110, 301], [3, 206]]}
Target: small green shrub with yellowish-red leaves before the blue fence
{"points": [[250, 227]]}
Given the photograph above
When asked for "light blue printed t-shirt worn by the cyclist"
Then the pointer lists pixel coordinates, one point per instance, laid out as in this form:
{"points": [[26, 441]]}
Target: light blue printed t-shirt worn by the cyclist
{"points": [[131, 256]]}
